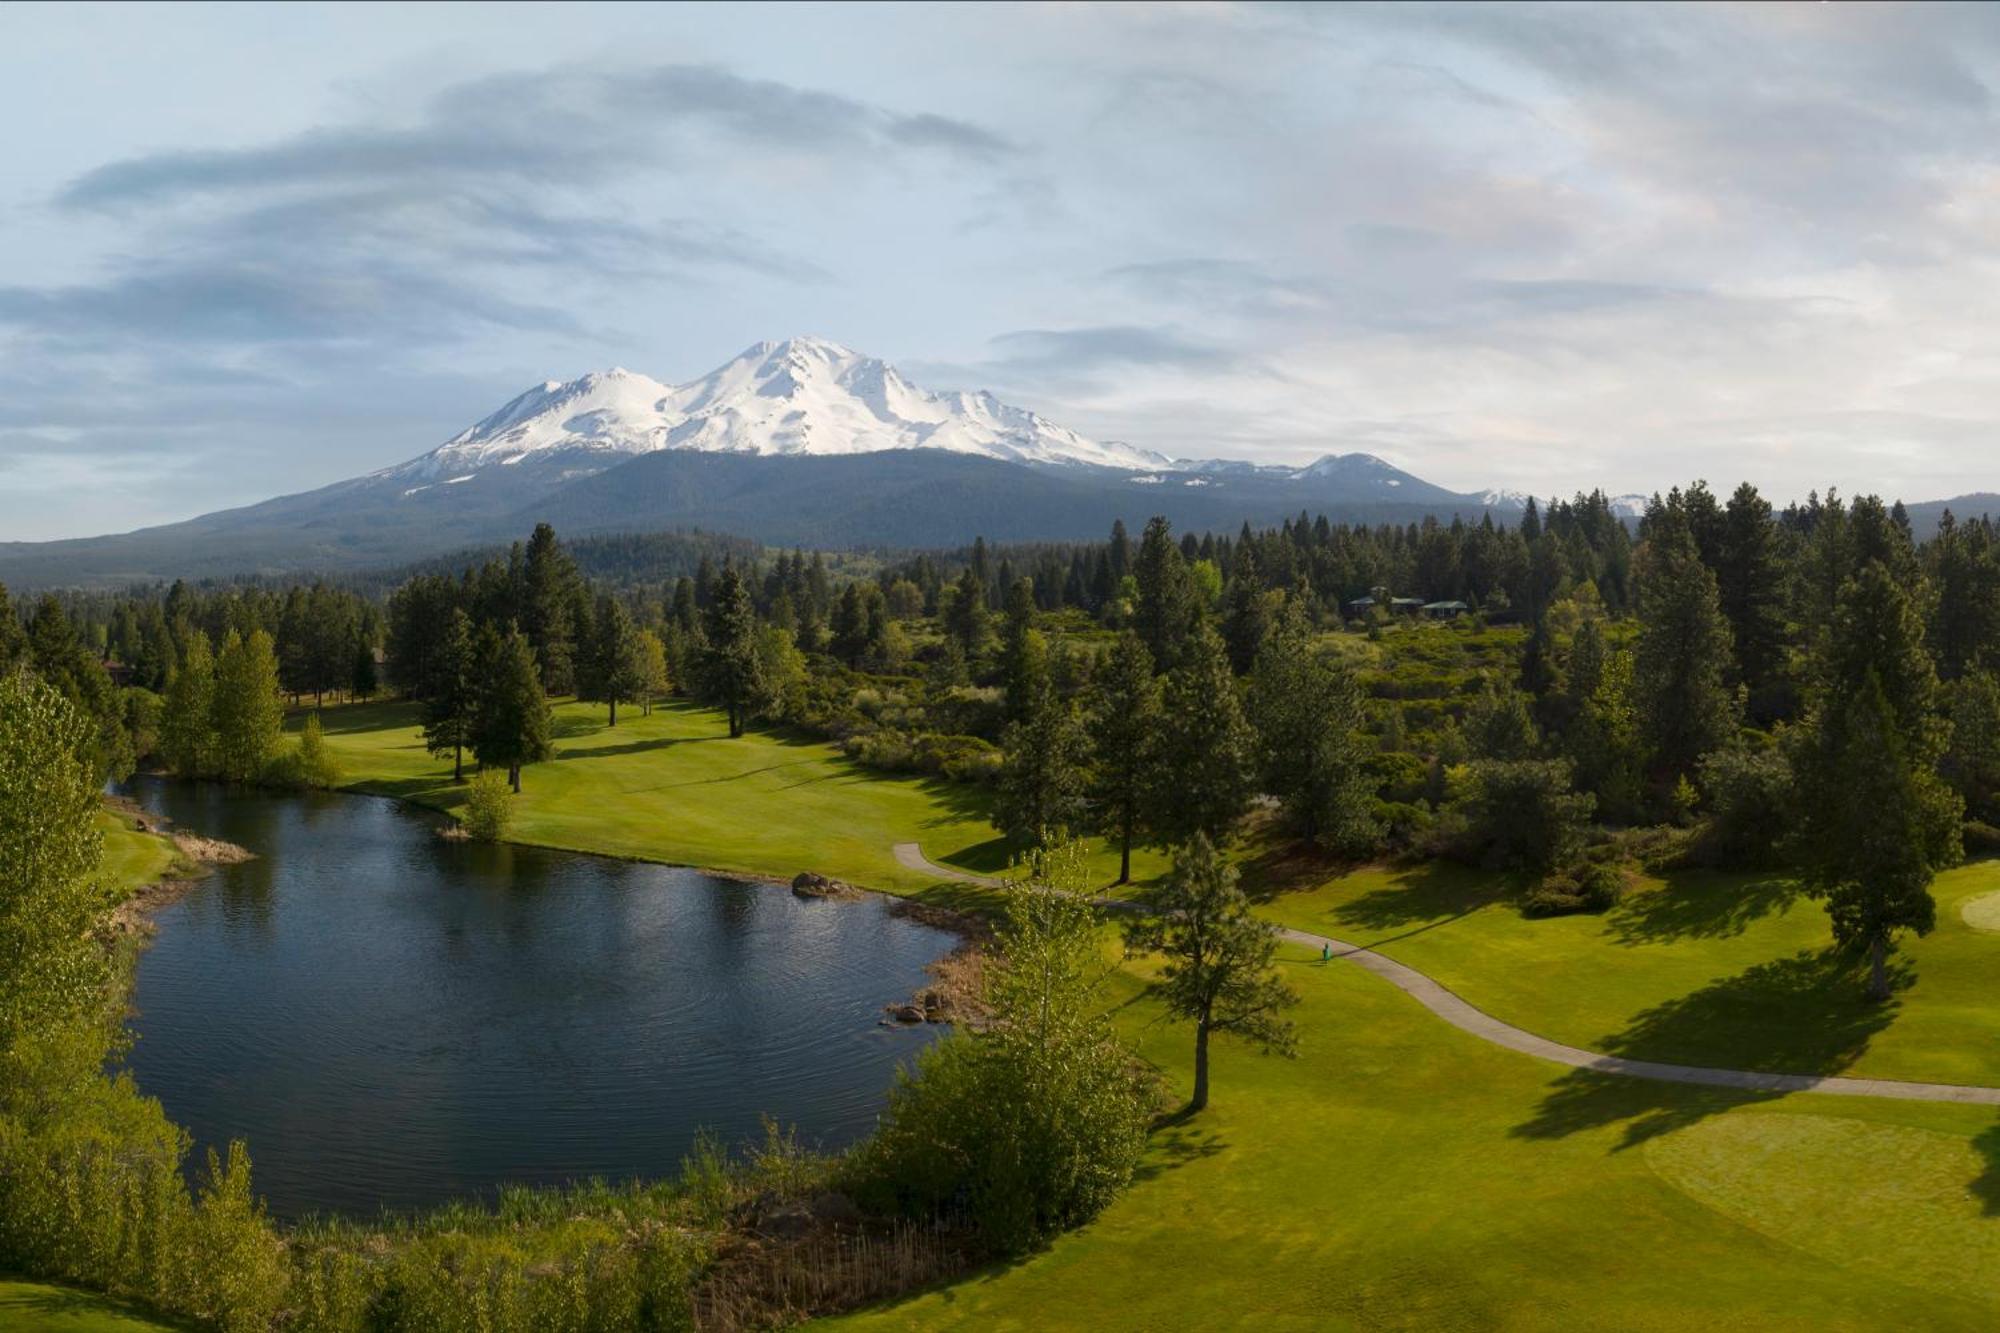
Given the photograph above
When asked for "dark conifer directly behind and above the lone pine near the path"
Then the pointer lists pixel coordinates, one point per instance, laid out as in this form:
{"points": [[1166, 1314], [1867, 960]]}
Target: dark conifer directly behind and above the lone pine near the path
{"points": [[1205, 760]]}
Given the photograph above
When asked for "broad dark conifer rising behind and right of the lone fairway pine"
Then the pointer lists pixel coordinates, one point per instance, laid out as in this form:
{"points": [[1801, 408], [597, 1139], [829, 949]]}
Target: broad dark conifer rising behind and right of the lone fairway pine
{"points": [[1307, 712]]}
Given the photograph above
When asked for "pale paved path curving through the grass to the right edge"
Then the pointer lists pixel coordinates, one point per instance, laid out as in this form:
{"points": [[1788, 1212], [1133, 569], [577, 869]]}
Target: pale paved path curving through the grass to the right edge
{"points": [[1487, 1028]]}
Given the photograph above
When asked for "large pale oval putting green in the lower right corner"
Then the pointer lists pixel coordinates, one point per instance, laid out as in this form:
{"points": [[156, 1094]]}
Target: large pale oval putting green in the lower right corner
{"points": [[1903, 1204]]}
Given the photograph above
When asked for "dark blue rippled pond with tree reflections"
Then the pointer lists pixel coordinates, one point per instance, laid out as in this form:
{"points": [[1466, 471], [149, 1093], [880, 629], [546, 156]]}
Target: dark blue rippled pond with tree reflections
{"points": [[393, 1020]]}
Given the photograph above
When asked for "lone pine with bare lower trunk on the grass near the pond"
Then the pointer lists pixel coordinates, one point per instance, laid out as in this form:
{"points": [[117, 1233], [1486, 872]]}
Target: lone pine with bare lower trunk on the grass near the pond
{"points": [[1219, 970]]}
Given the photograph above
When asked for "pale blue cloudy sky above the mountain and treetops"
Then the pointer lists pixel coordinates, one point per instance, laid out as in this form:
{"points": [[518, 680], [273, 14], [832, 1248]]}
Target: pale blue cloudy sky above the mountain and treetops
{"points": [[251, 251]]}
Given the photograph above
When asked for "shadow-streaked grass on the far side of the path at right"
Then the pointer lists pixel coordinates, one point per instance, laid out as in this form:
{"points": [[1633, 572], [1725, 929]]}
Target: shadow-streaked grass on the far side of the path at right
{"points": [[1701, 970]]}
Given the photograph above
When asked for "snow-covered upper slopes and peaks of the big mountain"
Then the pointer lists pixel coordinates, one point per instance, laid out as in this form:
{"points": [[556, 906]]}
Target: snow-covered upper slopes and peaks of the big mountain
{"points": [[803, 397]]}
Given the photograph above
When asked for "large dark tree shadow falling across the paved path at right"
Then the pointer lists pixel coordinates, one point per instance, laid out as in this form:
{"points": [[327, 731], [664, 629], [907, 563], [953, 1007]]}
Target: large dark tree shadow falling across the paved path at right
{"points": [[1799, 1016]]}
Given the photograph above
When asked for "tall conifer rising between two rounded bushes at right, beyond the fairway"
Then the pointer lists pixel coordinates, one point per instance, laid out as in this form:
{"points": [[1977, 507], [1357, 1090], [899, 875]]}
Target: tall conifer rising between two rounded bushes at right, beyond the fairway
{"points": [[1683, 655]]}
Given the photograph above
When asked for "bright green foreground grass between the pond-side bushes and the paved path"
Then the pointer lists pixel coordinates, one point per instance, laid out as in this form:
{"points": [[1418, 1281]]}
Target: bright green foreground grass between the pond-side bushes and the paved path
{"points": [[1403, 1174]]}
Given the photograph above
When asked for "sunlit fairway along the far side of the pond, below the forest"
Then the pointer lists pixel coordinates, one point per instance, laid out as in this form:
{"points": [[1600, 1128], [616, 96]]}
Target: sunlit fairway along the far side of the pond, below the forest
{"points": [[677, 788]]}
